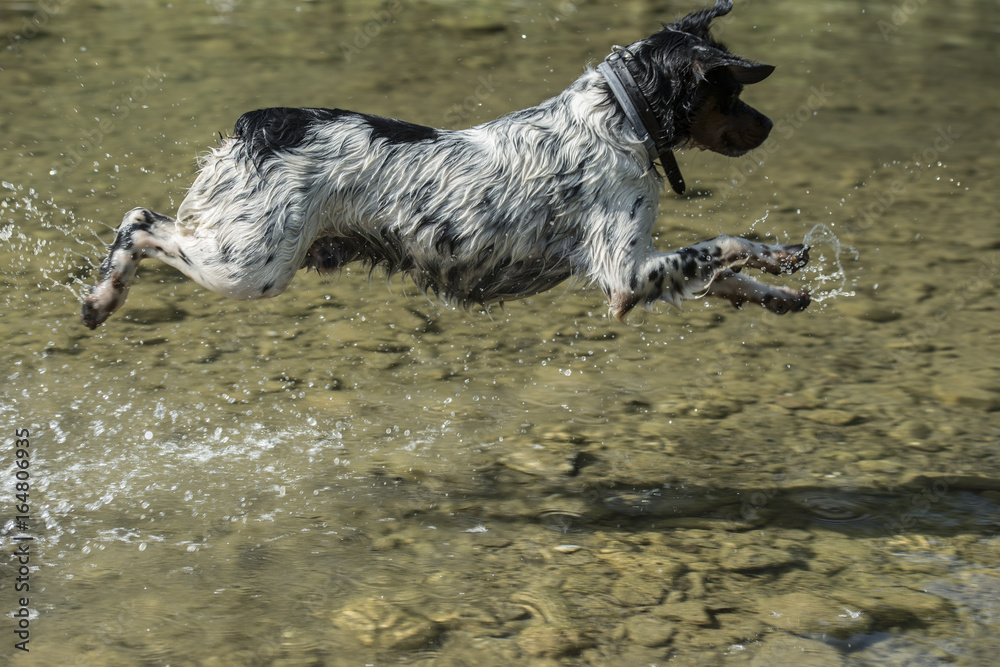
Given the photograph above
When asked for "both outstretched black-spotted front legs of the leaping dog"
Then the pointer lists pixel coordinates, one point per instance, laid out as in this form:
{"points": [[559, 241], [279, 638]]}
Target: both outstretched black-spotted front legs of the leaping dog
{"points": [[711, 268]]}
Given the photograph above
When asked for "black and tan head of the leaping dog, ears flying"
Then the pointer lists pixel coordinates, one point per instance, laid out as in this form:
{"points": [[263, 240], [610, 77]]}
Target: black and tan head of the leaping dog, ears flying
{"points": [[693, 84]]}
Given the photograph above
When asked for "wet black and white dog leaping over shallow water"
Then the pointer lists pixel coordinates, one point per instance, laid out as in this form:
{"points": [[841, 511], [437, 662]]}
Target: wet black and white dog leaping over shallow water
{"points": [[498, 211]]}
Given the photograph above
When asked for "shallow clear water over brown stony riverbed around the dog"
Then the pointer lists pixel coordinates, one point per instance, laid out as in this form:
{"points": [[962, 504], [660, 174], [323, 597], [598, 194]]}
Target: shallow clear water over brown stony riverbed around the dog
{"points": [[352, 474]]}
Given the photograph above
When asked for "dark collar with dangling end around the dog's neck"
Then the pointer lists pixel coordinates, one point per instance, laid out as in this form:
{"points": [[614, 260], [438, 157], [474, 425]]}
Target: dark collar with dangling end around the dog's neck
{"points": [[641, 115]]}
